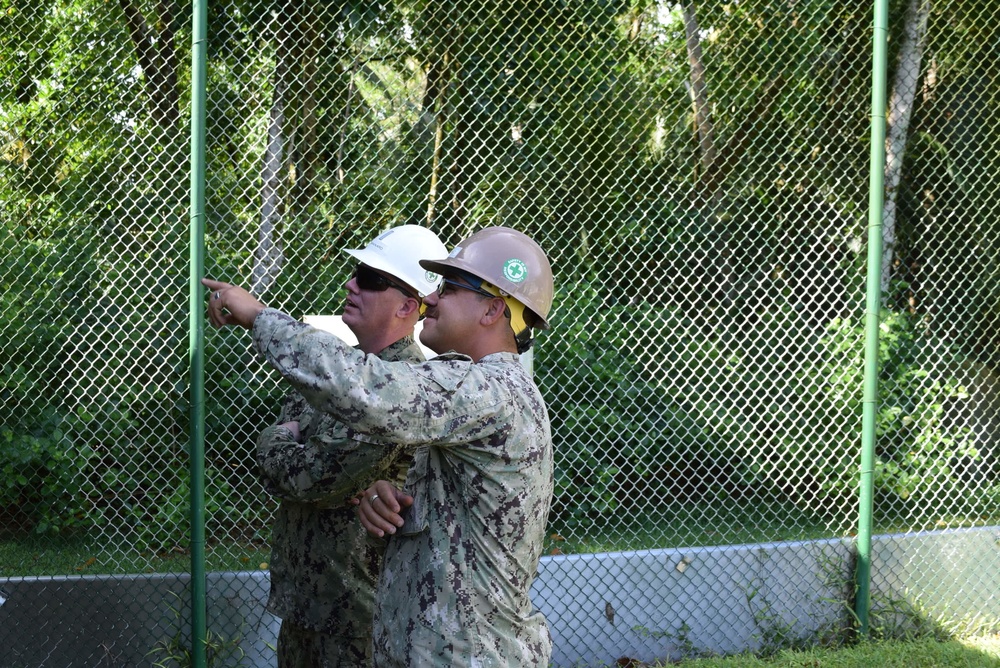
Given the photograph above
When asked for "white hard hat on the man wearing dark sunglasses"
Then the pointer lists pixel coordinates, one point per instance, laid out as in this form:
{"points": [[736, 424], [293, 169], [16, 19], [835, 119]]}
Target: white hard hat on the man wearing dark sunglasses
{"points": [[398, 251]]}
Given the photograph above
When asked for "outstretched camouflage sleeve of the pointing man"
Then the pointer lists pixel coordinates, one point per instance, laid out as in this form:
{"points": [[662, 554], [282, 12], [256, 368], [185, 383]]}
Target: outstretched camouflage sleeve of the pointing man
{"points": [[441, 402]]}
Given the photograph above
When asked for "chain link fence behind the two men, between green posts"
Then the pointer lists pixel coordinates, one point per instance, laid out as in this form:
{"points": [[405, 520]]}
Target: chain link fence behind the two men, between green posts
{"points": [[697, 172]]}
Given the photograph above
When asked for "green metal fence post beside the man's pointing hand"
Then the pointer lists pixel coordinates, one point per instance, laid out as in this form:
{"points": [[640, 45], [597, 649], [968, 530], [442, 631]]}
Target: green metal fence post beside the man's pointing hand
{"points": [[197, 333]]}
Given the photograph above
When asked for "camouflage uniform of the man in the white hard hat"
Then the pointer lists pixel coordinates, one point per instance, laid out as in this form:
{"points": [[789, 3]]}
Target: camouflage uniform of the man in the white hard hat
{"points": [[323, 568]]}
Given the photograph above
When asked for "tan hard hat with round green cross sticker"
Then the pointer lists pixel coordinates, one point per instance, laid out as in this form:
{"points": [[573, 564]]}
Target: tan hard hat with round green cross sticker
{"points": [[509, 260]]}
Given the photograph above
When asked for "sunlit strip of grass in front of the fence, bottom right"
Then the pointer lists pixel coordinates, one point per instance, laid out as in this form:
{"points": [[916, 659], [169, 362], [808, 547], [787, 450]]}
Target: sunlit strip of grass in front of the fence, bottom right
{"points": [[975, 652]]}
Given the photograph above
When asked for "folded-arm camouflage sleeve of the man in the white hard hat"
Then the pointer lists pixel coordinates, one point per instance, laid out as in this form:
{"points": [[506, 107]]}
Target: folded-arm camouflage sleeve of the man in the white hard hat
{"points": [[327, 469]]}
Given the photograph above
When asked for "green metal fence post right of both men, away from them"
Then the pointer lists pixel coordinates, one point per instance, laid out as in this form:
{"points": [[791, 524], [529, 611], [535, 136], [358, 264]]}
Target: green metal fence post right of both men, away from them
{"points": [[873, 308]]}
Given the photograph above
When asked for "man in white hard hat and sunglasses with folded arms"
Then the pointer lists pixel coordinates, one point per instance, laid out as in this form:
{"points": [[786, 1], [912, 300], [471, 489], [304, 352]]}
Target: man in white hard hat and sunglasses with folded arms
{"points": [[323, 570]]}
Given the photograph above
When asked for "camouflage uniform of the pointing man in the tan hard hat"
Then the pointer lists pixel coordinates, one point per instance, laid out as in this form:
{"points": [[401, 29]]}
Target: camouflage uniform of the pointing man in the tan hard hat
{"points": [[454, 589]]}
